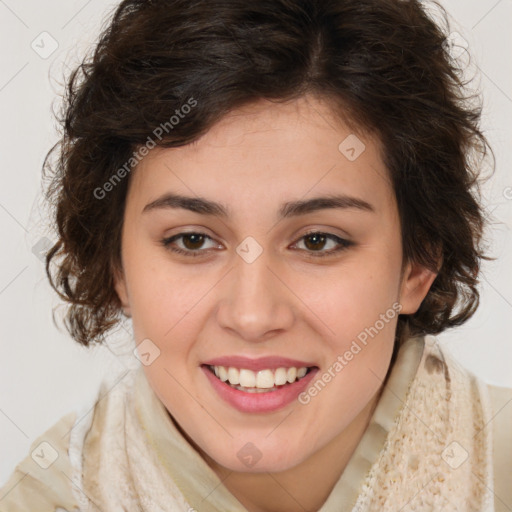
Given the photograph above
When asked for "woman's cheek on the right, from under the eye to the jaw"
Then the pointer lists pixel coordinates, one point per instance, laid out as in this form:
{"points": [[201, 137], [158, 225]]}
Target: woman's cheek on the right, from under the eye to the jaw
{"points": [[361, 313]]}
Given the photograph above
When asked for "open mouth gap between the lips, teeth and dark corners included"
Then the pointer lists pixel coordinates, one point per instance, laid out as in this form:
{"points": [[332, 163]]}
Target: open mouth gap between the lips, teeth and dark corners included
{"points": [[266, 380]]}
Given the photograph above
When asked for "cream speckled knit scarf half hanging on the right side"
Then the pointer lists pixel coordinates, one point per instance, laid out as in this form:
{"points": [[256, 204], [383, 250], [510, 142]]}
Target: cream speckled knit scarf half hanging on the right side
{"points": [[438, 454]]}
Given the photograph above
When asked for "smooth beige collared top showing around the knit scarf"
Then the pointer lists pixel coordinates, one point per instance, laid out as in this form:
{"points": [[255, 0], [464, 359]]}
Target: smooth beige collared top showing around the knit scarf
{"points": [[43, 480]]}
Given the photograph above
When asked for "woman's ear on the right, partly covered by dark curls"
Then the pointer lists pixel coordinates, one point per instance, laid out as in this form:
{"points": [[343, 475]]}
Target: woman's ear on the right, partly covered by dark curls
{"points": [[416, 282]]}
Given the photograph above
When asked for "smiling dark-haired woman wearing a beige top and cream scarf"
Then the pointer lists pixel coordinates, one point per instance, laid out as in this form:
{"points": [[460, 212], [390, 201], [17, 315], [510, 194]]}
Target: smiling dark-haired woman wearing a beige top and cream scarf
{"points": [[283, 199]]}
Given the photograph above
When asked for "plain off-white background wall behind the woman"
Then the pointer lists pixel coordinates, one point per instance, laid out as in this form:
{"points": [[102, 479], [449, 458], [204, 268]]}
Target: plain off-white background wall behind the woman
{"points": [[44, 374]]}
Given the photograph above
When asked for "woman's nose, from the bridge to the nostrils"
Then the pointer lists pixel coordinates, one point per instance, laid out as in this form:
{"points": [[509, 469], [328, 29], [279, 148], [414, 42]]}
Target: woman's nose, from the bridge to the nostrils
{"points": [[257, 303]]}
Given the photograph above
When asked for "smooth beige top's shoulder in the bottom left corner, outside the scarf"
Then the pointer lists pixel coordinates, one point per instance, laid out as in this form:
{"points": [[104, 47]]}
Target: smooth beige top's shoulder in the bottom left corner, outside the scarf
{"points": [[42, 480]]}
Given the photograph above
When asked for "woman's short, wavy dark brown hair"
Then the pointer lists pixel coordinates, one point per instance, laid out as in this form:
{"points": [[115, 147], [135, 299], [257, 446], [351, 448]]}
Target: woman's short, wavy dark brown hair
{"points": [[383, 65]]}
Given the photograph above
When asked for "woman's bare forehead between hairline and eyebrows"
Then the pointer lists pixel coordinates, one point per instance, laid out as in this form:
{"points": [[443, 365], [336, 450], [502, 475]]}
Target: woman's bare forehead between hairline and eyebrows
{"points": [[266, 153]]}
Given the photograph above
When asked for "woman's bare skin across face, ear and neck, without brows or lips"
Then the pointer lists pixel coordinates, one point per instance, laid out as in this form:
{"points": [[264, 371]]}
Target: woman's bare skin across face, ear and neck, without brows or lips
{"points": [[284, 303]]}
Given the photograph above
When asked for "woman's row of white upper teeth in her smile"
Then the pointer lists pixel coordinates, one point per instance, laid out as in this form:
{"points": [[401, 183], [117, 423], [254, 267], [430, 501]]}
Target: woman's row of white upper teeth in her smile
{"points": [[264, 379]]}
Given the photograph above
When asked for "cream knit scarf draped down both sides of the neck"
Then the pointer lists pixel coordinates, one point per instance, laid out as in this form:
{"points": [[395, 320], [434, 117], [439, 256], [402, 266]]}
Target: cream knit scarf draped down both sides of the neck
{"points": [[436, 456]]}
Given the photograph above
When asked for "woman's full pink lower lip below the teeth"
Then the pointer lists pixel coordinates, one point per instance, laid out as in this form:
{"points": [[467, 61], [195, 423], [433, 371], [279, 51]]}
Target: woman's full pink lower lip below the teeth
{"points": [[259, 402]]}
